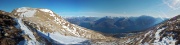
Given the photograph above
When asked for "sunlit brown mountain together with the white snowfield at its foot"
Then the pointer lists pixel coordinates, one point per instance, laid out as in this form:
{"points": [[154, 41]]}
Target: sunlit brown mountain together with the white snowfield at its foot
{"points": [[43, 26]]}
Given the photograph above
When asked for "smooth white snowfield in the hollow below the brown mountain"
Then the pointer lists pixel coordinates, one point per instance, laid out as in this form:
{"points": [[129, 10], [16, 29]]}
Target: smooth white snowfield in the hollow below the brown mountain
{"points": [[64, 39]]}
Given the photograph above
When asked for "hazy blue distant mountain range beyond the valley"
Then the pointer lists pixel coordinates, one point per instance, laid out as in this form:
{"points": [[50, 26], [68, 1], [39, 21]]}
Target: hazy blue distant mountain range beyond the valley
{"points": [[113, 25]]}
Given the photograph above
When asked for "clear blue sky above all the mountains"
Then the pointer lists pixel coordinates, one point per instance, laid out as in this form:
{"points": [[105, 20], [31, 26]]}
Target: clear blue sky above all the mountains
{"points": [[156, 8]]}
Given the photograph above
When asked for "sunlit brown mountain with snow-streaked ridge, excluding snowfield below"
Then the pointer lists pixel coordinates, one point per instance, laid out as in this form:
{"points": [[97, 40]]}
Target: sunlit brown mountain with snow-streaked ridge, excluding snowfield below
{"points": [[49, 22]]}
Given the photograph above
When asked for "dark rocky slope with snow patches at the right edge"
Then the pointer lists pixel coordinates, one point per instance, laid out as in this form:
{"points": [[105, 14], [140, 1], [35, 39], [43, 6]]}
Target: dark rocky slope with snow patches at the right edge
{"points": [[166, 33]]}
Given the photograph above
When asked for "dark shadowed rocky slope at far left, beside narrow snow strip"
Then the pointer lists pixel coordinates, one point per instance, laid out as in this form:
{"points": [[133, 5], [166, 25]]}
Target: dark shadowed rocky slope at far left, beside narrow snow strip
{"points": [[9, 33]]}
